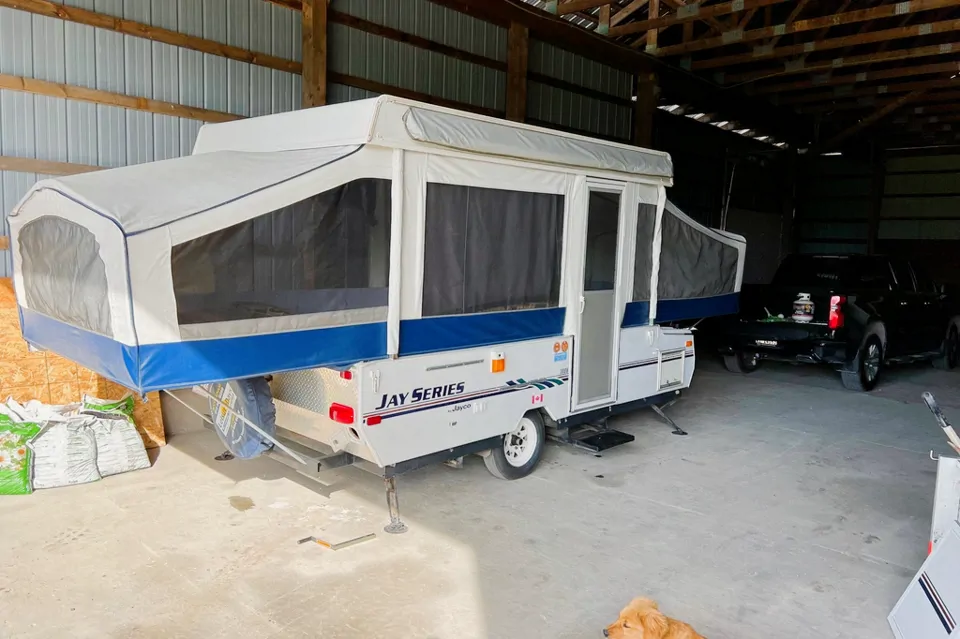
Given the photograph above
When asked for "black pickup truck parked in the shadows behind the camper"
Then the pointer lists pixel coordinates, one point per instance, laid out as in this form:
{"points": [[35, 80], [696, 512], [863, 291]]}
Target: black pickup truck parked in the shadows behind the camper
{"points": [[867, 311]]}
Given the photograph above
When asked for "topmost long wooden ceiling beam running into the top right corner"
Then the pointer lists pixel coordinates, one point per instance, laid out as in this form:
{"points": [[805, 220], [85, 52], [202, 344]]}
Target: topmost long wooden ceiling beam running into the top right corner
{"points": [[800, 26]]}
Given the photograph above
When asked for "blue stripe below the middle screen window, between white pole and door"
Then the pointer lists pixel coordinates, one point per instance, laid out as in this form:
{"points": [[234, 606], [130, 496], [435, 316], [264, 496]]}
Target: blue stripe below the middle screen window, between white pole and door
{"points": [[432, 334]]}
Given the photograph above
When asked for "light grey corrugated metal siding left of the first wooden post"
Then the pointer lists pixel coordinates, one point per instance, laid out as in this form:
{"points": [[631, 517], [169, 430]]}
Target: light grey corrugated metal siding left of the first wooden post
{"points": [[69, 131]]}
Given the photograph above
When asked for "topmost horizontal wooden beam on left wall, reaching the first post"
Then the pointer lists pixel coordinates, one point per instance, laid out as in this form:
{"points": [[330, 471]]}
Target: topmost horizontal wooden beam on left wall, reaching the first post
{"points": [[156, 34]]}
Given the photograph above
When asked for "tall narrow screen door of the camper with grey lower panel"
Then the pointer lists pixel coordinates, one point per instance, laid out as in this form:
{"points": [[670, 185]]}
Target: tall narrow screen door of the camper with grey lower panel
{"points": [[597, 340]]}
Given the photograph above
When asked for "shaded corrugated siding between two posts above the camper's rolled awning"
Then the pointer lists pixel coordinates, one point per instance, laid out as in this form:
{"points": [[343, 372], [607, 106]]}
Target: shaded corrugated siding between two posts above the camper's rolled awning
{"points": [[571, 110]]}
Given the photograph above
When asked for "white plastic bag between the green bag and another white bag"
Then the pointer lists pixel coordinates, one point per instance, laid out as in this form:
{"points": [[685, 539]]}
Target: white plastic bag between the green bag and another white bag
{"points": [[65, 453]]}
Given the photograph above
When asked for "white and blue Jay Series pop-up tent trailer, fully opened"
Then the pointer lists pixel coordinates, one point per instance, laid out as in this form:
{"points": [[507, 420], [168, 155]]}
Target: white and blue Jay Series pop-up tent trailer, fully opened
{"points": [[420, 255]]}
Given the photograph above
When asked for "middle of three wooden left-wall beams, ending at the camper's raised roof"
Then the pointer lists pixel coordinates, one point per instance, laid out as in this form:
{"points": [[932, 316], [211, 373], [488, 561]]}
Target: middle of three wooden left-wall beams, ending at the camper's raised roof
{"points": [[83, 94]]}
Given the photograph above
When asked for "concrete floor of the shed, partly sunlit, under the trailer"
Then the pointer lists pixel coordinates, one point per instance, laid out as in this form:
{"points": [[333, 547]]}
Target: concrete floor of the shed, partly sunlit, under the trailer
{"points": [[794, 508]]}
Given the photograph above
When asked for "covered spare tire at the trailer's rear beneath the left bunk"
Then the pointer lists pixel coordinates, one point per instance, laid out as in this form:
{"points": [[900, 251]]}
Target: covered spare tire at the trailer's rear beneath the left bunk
{"points": [[254, 401]]}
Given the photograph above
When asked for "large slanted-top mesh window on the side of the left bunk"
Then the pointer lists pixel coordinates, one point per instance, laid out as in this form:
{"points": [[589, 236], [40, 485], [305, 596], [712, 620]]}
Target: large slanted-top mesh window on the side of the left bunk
{"points": [[329, 252]]}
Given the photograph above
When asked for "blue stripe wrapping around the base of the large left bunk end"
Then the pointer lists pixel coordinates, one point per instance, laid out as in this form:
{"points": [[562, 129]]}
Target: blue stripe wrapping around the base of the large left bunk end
{"points": [[182, 364]]}
